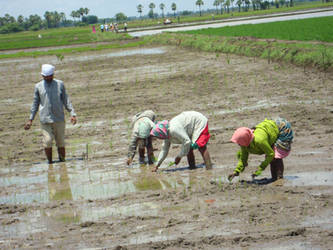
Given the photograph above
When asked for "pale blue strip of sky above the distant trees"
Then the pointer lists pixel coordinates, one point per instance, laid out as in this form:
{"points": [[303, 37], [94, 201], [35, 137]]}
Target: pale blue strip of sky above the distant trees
{"points": [[100, 8]]}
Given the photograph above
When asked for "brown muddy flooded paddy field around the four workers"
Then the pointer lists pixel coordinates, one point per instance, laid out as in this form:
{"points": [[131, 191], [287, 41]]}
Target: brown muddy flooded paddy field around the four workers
{"points": [[94, 200]]}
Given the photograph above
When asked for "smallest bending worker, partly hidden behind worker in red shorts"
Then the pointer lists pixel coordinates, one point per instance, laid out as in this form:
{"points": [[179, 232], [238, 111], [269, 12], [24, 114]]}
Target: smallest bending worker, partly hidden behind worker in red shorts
{"points": [[142, 123]]}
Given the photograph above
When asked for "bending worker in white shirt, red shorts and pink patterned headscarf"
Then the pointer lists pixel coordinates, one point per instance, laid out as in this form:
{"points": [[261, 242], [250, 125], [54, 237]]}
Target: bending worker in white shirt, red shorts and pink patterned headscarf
{"points": [[190, 129]]}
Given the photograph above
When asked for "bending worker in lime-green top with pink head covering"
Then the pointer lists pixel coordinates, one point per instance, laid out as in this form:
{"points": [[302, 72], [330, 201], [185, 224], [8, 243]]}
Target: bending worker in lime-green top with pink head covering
{"points": [[272, 138]]}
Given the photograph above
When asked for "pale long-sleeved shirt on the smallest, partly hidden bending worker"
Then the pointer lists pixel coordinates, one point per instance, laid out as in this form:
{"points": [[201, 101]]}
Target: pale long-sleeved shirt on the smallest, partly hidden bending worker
{"points": [[148, 117]]}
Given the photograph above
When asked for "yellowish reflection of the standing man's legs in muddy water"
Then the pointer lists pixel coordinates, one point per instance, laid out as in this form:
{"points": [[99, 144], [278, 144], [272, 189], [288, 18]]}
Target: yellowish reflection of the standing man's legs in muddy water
{"points": [[59, 189]]}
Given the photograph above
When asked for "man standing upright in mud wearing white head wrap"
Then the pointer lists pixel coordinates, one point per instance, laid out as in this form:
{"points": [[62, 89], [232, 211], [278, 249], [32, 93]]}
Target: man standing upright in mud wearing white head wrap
{"points": [[50, 95]]}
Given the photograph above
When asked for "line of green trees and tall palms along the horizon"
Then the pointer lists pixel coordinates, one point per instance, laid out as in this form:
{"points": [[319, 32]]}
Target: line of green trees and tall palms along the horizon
{"points": [[53, 19]]}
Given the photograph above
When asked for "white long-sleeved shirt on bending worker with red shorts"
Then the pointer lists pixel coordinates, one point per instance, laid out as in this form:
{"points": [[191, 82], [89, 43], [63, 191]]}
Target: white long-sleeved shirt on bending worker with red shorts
{"points": [[184, 129]]}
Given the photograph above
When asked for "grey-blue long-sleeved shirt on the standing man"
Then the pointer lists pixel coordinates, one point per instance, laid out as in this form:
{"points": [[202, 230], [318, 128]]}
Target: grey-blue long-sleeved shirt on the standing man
{"points": [[50, 98]]}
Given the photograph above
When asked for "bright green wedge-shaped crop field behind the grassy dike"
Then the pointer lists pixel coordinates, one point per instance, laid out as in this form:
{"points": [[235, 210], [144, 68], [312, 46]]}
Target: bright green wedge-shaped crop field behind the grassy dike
{"points": [[311, 29]]}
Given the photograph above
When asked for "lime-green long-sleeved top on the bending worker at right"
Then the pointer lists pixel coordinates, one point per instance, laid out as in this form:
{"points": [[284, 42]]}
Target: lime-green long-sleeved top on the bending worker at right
{"points": [[265, 135]]}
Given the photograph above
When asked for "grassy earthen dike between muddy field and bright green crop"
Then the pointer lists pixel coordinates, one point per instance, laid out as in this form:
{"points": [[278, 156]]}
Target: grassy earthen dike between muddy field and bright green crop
{"points": [[319, 56]]}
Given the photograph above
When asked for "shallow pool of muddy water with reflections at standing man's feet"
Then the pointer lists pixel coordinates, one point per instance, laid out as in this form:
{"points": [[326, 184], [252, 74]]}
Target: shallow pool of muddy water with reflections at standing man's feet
{"points": [[80, 180]]}
